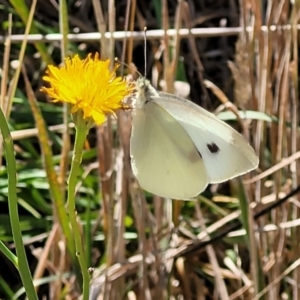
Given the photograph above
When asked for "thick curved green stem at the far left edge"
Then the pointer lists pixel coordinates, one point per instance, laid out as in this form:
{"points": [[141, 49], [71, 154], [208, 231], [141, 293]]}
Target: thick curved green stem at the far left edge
{"points": [[22, 265]]}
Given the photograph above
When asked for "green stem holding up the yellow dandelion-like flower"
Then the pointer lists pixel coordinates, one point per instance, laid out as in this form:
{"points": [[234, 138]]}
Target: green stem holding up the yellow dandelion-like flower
{"points": [[81, 133]]}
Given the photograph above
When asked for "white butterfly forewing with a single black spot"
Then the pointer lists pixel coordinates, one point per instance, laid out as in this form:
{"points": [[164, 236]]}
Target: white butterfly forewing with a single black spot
{"points": [[226, 153]]}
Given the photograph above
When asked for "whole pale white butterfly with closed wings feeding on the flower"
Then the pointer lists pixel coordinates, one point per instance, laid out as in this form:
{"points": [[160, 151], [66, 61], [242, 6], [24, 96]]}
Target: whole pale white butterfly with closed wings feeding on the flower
{"points": [[177, 148]]}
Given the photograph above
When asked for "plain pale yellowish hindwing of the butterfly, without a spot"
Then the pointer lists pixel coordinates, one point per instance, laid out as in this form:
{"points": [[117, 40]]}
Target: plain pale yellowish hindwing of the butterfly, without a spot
{"points": [[164, 159]]}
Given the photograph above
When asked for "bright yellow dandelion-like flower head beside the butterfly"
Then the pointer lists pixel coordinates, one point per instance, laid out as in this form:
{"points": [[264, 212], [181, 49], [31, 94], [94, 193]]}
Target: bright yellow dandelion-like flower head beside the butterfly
{"points": [[88, 85]]}
